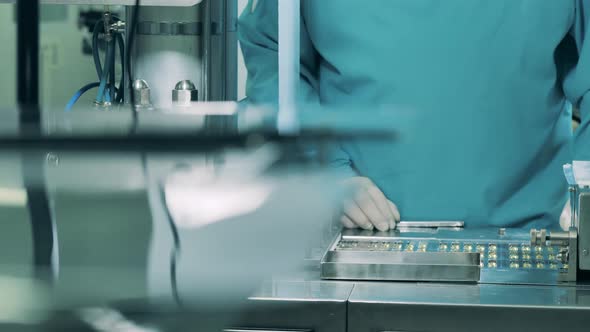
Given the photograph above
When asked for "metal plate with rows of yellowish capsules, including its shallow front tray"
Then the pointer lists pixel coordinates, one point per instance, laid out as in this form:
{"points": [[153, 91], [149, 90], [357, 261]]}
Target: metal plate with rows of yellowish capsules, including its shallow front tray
{"points": [[504, 256]]}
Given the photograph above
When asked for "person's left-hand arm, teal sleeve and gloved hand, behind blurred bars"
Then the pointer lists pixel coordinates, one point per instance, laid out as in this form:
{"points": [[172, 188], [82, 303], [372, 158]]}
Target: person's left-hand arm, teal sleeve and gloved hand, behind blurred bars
{"points": [[258, 33]]}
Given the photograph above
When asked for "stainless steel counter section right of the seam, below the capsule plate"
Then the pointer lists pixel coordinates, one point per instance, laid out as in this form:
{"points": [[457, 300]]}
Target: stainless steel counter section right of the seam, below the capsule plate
{"points": [[415, 307]]}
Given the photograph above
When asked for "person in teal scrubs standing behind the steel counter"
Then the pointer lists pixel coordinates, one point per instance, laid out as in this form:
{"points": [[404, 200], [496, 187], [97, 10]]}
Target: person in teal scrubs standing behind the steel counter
{"points": [[484, 92]]}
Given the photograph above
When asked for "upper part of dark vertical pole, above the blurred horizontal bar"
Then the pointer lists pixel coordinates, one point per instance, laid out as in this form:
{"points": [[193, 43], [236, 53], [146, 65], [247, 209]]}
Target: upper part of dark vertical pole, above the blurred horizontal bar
{"points": [[28, 63]]}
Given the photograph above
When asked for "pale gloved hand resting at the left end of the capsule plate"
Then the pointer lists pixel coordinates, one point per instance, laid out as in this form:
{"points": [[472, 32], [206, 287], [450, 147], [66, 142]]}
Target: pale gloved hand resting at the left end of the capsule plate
{"points": [[368, 208]]}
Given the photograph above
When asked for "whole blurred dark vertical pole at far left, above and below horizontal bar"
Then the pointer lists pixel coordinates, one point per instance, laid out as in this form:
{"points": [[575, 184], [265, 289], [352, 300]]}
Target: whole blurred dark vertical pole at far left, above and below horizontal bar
{"points": [[42, 227]]}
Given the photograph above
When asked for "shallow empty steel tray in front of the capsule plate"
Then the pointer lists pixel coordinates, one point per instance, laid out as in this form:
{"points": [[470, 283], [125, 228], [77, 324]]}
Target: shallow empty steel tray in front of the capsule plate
{"points": [[401, 266]]}
